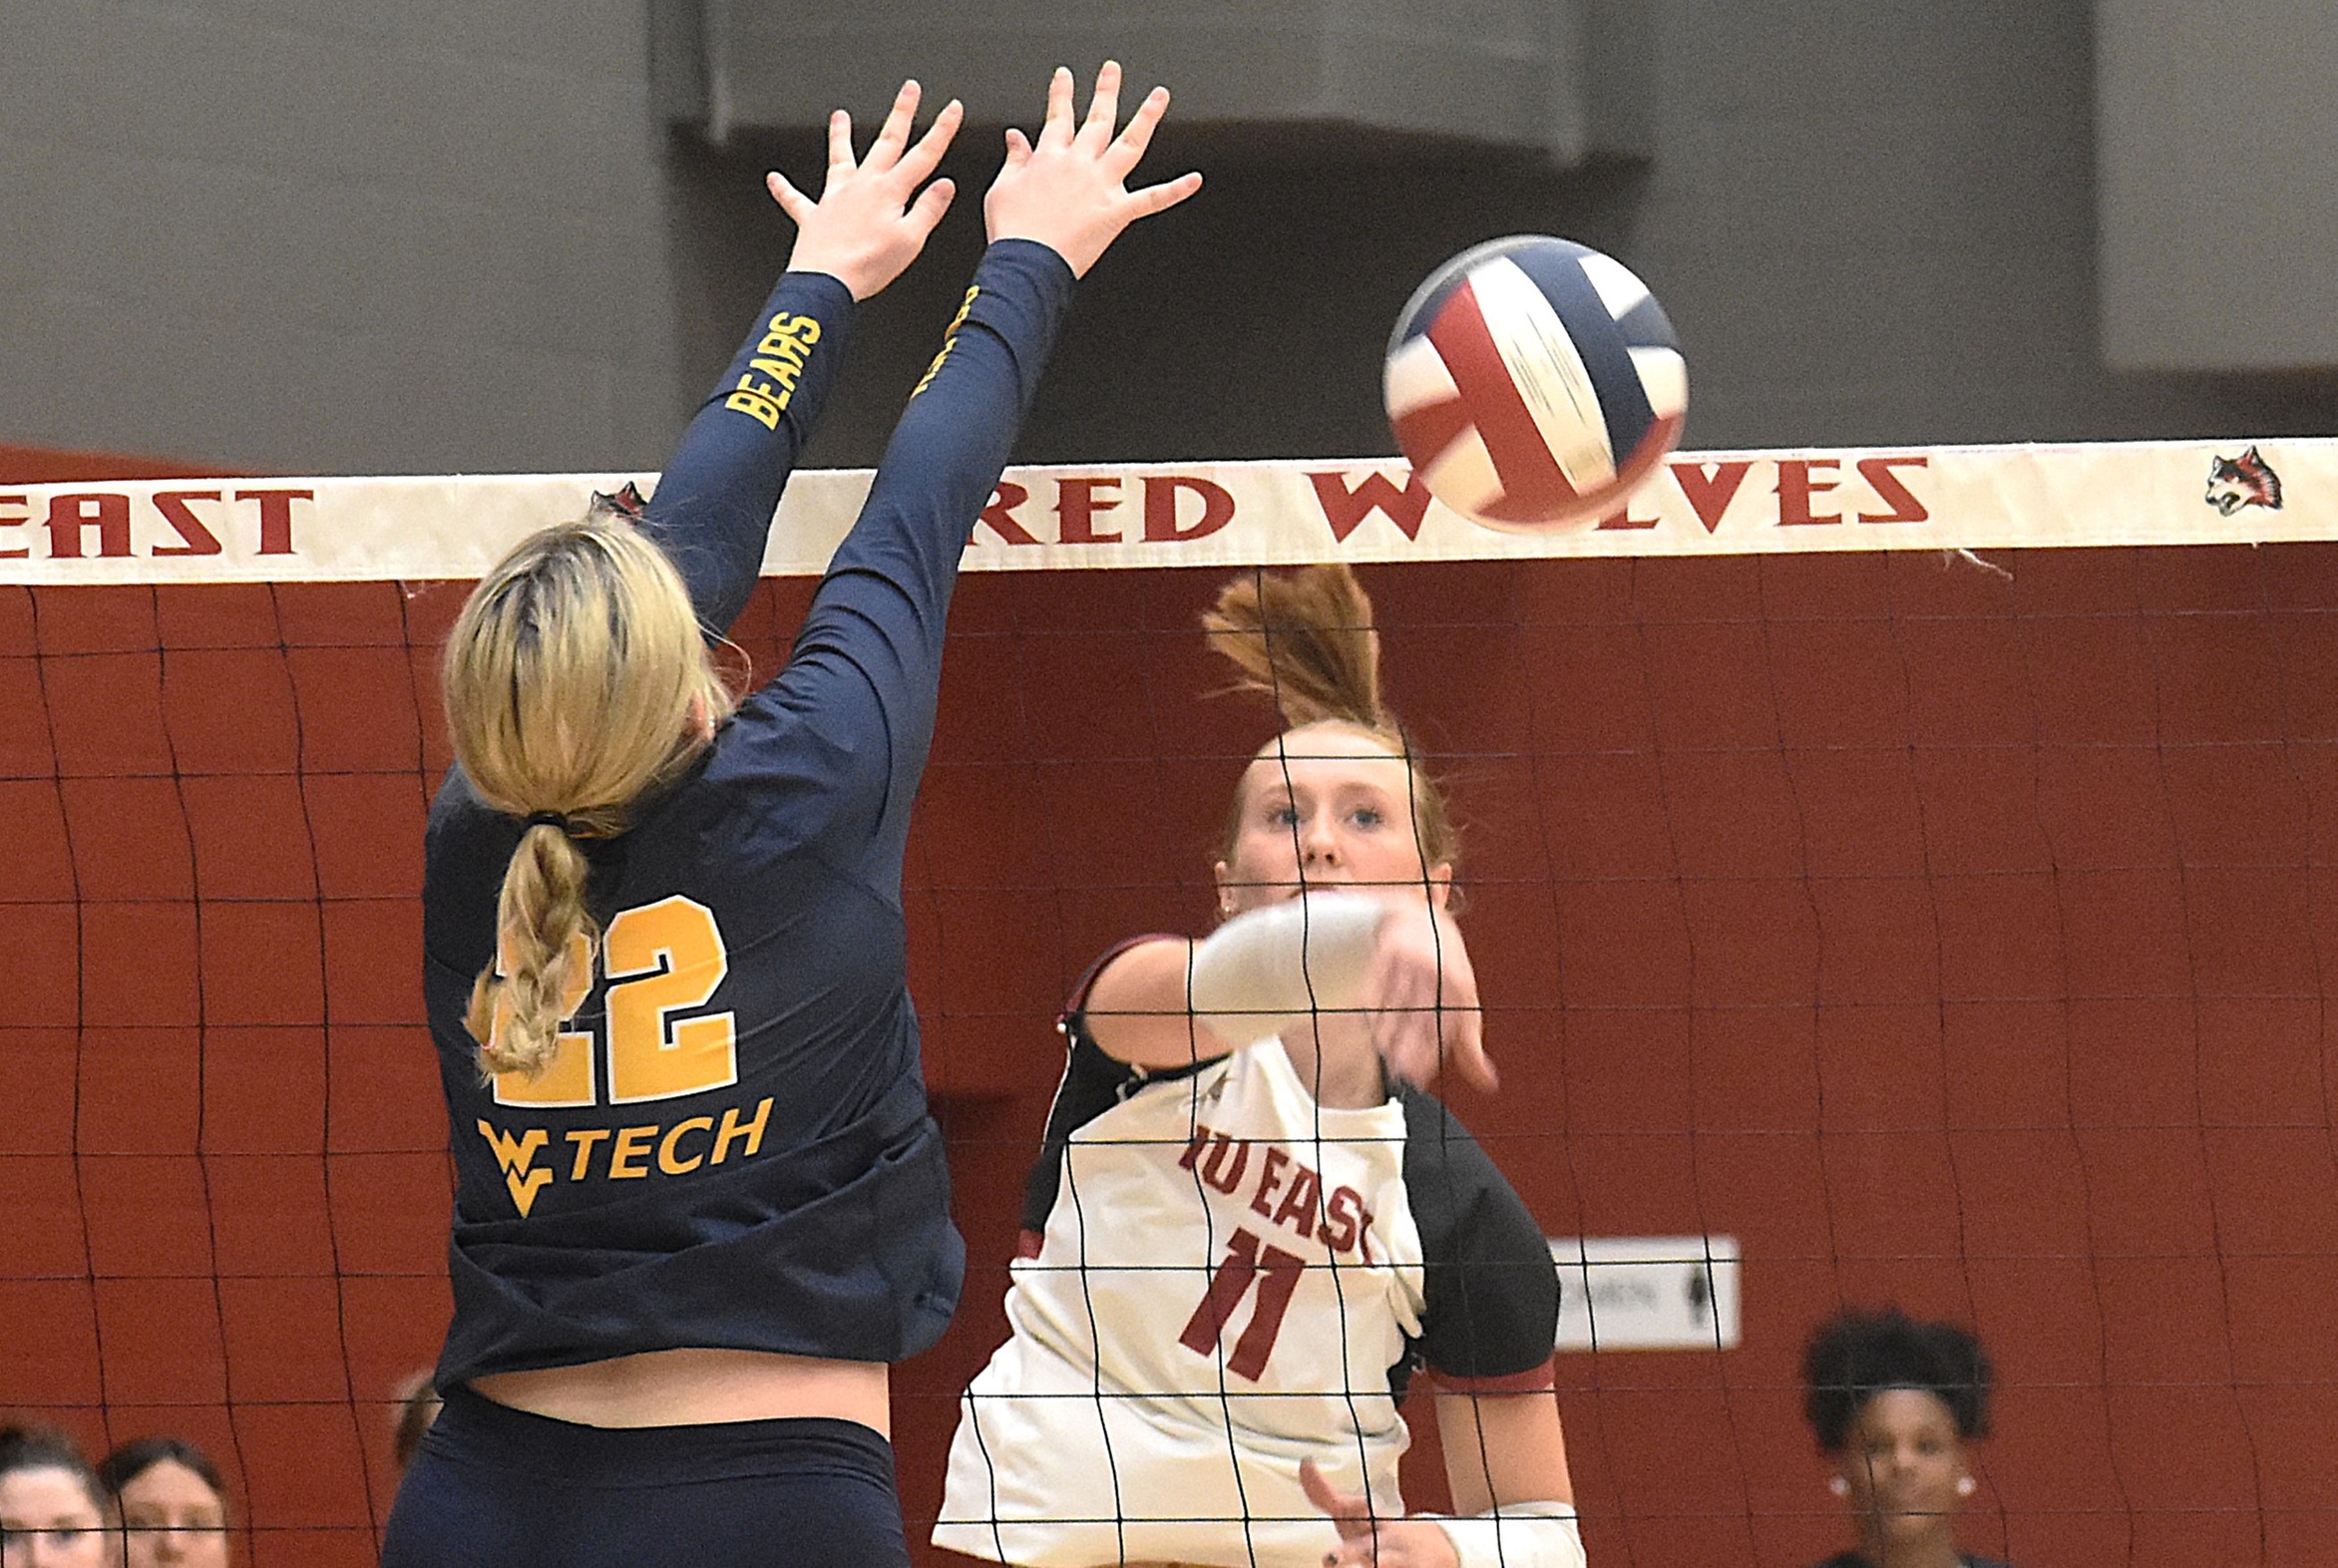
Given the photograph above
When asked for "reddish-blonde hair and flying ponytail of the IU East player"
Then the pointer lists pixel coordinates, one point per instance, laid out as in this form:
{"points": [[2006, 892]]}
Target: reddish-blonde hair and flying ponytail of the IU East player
{"points": [[1306, 639]]}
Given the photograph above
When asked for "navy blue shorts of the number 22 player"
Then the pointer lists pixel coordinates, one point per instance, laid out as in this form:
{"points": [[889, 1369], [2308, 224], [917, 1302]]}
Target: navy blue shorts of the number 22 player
{"points": [[494, 1487]]}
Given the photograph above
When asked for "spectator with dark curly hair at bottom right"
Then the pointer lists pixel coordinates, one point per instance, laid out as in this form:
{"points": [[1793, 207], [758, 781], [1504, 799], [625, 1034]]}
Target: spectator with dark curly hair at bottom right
{"points": [[1895, 1406]]}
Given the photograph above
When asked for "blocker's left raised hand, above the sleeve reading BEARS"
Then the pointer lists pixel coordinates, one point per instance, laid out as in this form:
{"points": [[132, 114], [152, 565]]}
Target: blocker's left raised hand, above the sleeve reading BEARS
{"points": [[871, 218]]}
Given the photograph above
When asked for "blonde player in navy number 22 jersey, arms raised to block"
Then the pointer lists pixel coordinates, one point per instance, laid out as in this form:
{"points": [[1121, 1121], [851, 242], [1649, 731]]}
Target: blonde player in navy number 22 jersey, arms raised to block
{"points": [[700, 1202]]}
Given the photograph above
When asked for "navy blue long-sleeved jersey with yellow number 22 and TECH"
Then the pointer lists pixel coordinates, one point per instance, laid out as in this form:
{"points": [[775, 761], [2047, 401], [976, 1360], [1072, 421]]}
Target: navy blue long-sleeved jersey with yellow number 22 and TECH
{"points": [[733, 1146]]}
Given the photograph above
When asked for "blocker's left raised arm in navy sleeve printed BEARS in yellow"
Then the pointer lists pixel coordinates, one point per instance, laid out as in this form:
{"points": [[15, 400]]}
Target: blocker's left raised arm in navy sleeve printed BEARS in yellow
{"points": [[717, 499]]}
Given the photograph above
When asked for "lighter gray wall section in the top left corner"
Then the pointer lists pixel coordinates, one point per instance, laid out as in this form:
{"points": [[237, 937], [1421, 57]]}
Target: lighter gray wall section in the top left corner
{"points": [[333, 235]]}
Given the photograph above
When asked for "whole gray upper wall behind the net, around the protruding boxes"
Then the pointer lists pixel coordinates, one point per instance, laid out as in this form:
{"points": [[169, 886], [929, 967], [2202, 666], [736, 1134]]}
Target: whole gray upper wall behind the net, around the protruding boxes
{"points": [[389, 235]]}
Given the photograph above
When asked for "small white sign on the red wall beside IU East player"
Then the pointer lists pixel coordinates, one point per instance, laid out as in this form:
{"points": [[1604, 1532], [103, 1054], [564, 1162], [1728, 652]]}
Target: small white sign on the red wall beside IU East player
{"points": [[1647, 1293]]}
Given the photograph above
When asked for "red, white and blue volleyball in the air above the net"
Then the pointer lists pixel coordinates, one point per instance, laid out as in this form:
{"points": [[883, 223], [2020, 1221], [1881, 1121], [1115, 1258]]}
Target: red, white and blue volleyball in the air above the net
{"points": [[1535, 382]]}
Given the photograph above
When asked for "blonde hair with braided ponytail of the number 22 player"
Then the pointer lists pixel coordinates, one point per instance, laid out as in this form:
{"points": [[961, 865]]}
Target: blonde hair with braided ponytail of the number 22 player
{"points": [[576, 681]]}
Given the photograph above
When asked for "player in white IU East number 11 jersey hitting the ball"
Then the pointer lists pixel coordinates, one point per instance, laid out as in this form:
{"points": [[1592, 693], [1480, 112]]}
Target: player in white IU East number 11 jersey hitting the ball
{"points": [[1247, 1228]]}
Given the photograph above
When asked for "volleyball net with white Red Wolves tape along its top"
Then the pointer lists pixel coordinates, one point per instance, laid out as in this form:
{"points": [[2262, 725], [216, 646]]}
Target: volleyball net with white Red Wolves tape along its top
{"points": [[1900, 868]]}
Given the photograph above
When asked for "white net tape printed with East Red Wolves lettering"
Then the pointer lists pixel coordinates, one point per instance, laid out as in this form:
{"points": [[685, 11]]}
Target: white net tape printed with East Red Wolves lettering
{"points": [[1222, 513]]}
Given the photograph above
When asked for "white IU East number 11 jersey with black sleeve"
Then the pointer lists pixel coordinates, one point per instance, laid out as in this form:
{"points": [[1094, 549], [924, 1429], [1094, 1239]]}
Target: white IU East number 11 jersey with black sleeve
{"points": [[1229, 1279]]}
